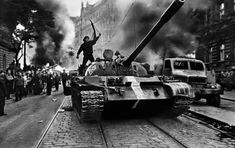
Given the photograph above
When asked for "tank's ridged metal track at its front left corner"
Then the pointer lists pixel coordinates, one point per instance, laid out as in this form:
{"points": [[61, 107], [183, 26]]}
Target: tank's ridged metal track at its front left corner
{"points": [[92, 105]]}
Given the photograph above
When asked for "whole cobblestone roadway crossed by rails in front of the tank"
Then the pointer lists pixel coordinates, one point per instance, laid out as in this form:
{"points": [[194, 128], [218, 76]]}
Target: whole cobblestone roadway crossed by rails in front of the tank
{"points": [[67, 132]]}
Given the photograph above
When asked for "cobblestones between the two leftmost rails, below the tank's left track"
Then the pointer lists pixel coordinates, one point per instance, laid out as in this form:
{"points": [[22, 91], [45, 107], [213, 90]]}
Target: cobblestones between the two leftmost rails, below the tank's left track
{"points": [[67, 132]]}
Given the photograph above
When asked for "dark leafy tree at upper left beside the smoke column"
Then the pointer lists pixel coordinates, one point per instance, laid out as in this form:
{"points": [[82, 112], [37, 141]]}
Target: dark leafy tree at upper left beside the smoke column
{"points": [[29, 14]]}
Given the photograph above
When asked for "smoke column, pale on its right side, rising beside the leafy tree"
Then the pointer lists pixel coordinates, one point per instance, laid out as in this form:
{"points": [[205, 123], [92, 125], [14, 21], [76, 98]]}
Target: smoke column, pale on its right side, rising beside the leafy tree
{"points": [[57, 43]]}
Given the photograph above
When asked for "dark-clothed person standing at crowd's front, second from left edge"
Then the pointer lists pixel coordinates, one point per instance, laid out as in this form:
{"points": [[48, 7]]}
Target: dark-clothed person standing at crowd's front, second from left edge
{"points": [[19, 86]]}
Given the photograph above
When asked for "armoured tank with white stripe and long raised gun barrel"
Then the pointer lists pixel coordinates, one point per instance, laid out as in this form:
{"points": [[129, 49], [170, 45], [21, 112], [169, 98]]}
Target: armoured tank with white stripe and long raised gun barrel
{"points": [[111, 86]]}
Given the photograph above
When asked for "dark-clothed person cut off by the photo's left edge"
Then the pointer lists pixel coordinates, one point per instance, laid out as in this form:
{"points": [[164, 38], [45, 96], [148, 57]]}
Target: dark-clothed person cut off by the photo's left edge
{"points": [[3, 93]]}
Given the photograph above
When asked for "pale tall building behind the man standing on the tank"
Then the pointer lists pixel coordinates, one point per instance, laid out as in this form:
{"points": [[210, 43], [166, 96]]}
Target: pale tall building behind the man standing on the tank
{"points": [[105, 17]]}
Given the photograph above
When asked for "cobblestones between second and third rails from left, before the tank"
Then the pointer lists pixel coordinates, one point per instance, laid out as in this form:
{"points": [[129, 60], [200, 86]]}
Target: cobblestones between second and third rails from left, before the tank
{"points": [[135, 134]]}
